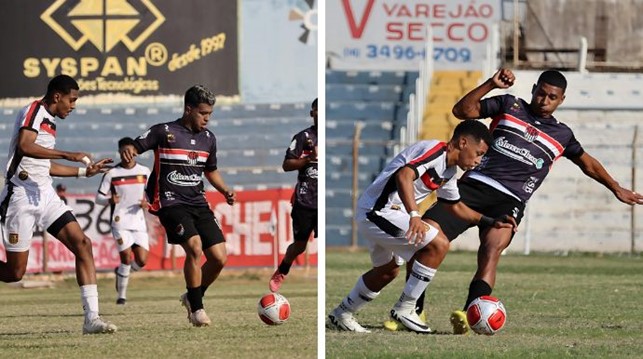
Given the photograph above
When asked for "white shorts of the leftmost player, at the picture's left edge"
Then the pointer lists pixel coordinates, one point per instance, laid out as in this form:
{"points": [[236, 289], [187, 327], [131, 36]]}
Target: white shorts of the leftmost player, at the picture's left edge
{"points": [[29, 207]]}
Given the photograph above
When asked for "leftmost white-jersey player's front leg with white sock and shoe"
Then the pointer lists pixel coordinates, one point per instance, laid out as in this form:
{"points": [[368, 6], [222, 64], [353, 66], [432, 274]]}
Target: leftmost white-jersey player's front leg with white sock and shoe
{"points": [[72, 236]]}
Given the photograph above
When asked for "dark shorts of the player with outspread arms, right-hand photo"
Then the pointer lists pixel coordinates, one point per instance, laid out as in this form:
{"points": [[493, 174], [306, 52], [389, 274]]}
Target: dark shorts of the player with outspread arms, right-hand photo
{"points": [[480, 197]]}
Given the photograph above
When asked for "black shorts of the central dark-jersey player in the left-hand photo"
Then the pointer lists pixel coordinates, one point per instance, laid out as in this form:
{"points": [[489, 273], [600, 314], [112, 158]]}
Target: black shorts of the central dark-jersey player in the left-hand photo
{"points": [[182, 222]]}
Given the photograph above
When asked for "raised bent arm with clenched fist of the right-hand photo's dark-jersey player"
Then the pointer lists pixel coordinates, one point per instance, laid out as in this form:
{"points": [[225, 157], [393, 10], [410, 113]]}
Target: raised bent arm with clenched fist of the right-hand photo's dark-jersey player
{"points": [[468, 108]]}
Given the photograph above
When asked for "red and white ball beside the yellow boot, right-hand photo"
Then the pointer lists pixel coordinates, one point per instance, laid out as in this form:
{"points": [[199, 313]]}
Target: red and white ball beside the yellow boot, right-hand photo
{"points": [[486, 315]]}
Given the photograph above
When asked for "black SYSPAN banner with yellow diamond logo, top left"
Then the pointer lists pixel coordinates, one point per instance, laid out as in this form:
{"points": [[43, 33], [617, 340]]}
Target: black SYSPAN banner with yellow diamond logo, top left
{"points": [[136, 47]]}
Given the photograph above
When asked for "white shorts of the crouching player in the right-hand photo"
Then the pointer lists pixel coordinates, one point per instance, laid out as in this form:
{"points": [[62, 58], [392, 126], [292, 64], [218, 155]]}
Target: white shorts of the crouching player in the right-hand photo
{"points": [[386, 236]]}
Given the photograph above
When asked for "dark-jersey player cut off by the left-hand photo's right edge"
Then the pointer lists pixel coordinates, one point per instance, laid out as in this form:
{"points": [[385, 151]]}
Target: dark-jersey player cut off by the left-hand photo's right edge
{"points": [[301, 156]]}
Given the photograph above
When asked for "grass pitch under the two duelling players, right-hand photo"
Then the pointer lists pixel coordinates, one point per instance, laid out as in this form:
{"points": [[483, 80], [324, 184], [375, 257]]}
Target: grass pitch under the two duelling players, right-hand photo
{"points": [[579, 306]]}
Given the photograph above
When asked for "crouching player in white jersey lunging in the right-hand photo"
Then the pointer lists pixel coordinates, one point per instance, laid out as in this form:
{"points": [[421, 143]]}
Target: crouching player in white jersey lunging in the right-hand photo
{"points": [[387, 216]]}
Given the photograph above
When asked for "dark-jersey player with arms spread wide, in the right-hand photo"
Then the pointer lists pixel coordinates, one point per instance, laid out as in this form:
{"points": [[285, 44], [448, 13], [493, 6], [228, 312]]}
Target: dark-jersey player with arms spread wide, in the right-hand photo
{"points": [[527, 141]]}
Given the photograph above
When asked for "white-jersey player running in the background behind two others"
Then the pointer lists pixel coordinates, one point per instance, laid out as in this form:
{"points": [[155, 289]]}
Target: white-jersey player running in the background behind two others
{"points": [[123, 188]]}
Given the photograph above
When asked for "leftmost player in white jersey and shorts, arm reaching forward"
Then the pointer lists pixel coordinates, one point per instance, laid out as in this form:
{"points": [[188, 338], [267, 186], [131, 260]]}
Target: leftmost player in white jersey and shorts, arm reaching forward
{"points": [[29, 199]]}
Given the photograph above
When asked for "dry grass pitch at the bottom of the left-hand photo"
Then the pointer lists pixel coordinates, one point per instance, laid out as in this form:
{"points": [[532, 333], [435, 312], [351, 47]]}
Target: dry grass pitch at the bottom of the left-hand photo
{"points": [[46, 323]]}
